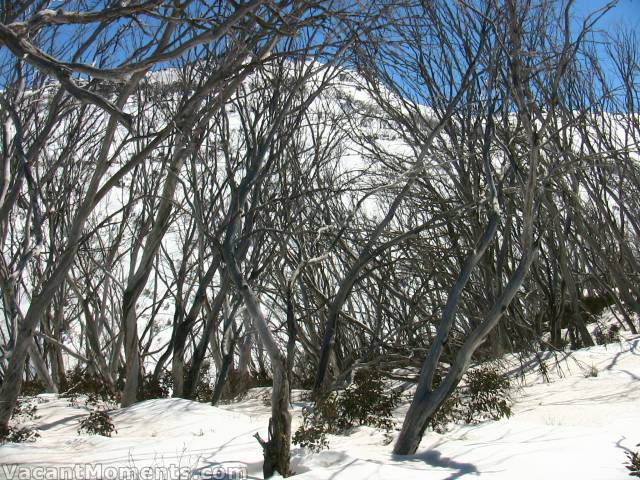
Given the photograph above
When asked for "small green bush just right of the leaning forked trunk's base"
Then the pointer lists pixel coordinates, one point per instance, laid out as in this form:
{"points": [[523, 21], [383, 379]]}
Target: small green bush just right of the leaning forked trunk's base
{"points": [[484, 396]]}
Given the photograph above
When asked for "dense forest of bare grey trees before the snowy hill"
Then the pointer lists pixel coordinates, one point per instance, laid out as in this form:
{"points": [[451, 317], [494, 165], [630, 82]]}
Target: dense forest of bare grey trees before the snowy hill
{"points": [[287, 191]]}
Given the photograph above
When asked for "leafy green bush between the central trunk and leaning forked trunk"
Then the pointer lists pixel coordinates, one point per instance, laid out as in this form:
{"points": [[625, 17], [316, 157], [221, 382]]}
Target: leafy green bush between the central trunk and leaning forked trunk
{"points": [[366, 402]]}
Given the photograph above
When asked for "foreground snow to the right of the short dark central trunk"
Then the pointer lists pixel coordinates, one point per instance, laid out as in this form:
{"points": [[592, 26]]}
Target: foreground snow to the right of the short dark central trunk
{"points": [[572, 427]]}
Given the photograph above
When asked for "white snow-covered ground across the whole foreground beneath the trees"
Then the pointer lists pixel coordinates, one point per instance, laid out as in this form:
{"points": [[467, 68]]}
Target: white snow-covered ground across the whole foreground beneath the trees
{"points": [[574, 426]]}
